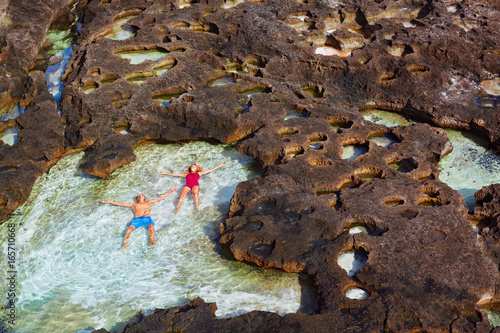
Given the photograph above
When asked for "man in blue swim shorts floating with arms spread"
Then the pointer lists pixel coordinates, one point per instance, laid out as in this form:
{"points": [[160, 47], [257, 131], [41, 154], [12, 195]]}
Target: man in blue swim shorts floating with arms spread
{"points": [[142, 213]]}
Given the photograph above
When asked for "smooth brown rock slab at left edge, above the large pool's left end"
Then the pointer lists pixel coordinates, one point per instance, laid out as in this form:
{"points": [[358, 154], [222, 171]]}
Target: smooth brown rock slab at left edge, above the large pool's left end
{"points": [[40, 144]]}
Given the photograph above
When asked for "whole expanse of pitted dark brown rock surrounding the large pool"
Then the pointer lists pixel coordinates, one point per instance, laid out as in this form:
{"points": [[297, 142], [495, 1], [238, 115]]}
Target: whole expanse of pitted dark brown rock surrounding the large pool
{"points": [[289, 79]]}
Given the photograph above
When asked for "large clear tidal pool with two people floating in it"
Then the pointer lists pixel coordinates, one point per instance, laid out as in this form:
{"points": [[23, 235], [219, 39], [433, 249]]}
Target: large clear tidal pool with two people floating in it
{"points": [[73, 276]]}
